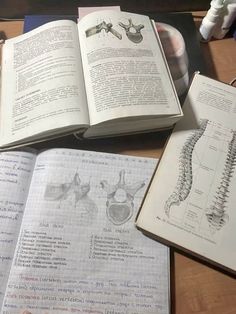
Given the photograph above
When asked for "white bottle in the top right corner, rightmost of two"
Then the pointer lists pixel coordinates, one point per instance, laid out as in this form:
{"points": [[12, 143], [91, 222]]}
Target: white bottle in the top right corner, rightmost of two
{"points": [[227, 18]]}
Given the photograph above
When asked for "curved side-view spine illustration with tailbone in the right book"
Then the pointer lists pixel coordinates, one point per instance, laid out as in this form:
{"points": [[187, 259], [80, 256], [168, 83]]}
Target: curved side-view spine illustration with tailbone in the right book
{"points": [[184, 182]]}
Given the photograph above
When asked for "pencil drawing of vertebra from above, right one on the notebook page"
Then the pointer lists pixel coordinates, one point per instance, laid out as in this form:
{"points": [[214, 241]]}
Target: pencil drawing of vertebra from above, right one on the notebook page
{"points": [[120, 199]]}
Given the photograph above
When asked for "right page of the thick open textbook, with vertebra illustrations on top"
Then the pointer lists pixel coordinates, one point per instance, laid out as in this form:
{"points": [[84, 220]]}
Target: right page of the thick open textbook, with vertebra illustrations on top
{"points": [[125, 69]]}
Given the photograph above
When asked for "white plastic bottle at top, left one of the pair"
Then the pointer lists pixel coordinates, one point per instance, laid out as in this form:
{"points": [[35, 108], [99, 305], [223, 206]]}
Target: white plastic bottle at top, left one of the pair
{"points": [[211, 19]]}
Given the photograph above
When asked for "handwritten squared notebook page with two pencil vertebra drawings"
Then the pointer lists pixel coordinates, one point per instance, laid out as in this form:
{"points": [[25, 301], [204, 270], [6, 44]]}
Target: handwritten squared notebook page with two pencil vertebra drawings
{"points": [[78, 249]]}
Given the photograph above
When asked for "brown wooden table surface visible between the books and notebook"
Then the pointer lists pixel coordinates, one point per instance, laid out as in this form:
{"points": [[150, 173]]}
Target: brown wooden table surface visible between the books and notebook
{"points": [[195, 287]]}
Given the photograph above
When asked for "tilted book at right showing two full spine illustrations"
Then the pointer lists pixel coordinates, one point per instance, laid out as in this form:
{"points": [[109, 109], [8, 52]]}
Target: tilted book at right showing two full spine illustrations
{"points": [[191, 200]]}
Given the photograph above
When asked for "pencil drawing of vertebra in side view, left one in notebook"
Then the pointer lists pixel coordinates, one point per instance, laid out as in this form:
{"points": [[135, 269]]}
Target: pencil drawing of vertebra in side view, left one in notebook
{"points": [[73, 194]]}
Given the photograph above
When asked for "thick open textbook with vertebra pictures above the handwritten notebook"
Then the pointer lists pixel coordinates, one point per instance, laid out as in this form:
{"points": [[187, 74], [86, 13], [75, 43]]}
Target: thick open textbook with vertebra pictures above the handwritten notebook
{"points": [[106, 75]]}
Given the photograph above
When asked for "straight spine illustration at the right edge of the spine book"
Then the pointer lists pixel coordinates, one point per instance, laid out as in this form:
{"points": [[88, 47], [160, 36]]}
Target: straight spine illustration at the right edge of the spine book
{"points": [[216, 215]]}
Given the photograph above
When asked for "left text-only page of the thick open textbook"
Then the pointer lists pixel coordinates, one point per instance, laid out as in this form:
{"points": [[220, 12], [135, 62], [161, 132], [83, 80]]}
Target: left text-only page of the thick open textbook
{"points": [[42, 82]]}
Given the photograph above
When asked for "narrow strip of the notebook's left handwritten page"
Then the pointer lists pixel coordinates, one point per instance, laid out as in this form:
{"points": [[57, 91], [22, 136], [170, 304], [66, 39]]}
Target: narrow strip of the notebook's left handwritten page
{"points": [[15, 174]]}
